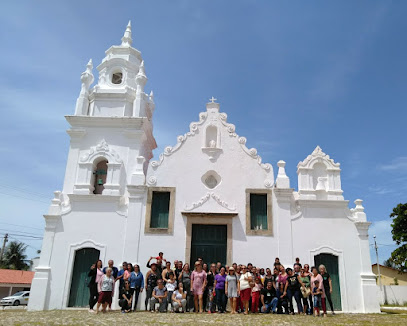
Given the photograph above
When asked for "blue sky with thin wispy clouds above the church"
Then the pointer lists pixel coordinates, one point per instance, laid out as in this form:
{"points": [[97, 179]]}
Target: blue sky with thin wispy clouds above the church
{"points": [[291, 75]]}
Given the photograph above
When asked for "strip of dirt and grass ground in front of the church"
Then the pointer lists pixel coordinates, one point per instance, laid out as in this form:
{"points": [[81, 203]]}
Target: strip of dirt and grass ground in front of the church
{"points": [[82, 317]]}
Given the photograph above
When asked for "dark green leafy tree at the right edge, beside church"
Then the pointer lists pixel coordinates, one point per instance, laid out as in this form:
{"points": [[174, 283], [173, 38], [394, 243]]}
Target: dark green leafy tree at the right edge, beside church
{"points": [[399, 232]]}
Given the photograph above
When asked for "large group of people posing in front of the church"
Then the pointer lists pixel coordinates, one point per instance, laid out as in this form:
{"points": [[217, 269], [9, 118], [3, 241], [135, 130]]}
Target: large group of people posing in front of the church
{"points": [[207, 288]]}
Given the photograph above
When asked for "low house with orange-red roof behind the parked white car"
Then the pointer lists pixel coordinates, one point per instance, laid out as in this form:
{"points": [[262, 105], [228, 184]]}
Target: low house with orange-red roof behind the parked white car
{"points": [[12, 281]]}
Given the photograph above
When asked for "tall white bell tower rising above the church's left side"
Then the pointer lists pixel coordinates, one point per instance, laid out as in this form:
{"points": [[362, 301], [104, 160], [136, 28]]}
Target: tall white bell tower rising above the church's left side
{"points": [[111, 131]]}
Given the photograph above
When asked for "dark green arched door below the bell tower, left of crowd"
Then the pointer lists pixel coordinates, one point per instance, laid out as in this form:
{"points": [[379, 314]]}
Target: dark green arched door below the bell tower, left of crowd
{"points": [[79, 293]]}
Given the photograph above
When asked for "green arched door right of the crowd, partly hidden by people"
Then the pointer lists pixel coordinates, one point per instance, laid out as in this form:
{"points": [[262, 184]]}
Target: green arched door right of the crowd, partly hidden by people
{"points": [[331, 263]]}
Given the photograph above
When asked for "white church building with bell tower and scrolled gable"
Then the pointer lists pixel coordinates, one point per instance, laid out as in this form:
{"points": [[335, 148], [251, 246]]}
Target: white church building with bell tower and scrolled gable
{"points": [[206, 196]]}
